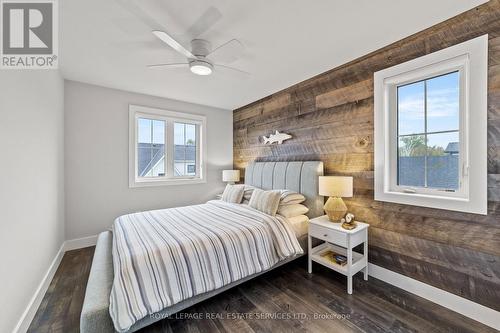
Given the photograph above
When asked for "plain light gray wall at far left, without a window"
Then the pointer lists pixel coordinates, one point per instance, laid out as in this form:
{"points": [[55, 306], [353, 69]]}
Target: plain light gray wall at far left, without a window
{"points": [[32, 189]]}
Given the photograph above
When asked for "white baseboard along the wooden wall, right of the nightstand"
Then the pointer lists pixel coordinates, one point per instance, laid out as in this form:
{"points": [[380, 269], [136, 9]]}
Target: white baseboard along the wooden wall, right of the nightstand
{"points": [[451, 301]]}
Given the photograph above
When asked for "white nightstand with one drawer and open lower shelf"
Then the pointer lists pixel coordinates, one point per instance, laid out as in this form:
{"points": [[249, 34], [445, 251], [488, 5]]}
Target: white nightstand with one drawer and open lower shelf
{"points": [[341, 241]]}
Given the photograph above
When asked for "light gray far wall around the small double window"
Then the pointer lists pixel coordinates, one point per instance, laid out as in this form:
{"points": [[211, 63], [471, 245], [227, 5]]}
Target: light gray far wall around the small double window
{"points": [[96, 158]]}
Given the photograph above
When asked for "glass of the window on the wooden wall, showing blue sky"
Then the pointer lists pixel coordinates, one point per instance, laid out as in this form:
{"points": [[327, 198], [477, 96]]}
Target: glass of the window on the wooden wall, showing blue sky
{"points": [[428, 133]]}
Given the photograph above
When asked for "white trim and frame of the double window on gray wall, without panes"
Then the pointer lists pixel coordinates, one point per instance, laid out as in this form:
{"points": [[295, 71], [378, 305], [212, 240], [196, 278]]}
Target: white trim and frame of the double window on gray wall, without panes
{"points": [[137, 111]]}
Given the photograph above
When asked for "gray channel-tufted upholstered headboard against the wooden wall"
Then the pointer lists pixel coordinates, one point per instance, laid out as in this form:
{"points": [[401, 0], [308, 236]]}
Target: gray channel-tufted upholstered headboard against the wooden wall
{"points": [[301, 177]]}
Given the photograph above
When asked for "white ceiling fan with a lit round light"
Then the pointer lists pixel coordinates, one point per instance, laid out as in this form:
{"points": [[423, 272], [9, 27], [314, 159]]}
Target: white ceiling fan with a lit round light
{"points": [[202, 60]]}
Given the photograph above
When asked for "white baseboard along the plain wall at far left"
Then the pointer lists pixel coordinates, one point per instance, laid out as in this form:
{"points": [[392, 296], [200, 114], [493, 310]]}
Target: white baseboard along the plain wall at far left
{"points": [[28, 314]]}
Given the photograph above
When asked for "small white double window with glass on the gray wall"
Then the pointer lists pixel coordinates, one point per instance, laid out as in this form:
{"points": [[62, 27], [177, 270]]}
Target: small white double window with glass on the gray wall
{"points": [[166, 148]]}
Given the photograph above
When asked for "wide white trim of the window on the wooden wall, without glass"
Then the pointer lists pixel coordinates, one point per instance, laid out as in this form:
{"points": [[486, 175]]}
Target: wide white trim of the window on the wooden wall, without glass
{"points": [[471, 59]]}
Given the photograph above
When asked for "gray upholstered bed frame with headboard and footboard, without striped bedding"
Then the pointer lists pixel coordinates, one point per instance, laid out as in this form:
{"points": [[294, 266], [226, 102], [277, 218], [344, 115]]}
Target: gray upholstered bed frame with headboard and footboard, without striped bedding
{"points": [[300, 177]]}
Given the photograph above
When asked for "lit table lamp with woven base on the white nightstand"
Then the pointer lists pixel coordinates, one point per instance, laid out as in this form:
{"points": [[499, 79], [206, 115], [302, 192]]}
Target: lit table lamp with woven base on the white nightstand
{"points": [[335, 187]]}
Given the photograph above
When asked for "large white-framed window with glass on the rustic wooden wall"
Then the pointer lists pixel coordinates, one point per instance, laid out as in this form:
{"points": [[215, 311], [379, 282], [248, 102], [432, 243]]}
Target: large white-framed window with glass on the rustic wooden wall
{"points": [[430, 130]]}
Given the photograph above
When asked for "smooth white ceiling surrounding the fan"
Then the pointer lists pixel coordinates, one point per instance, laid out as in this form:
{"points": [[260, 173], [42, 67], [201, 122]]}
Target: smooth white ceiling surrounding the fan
{"points": [[287, 41]]}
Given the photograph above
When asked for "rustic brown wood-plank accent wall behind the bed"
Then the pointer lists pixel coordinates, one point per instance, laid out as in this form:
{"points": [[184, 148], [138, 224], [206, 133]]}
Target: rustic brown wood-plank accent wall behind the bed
{"points": [[331, 119]]}
